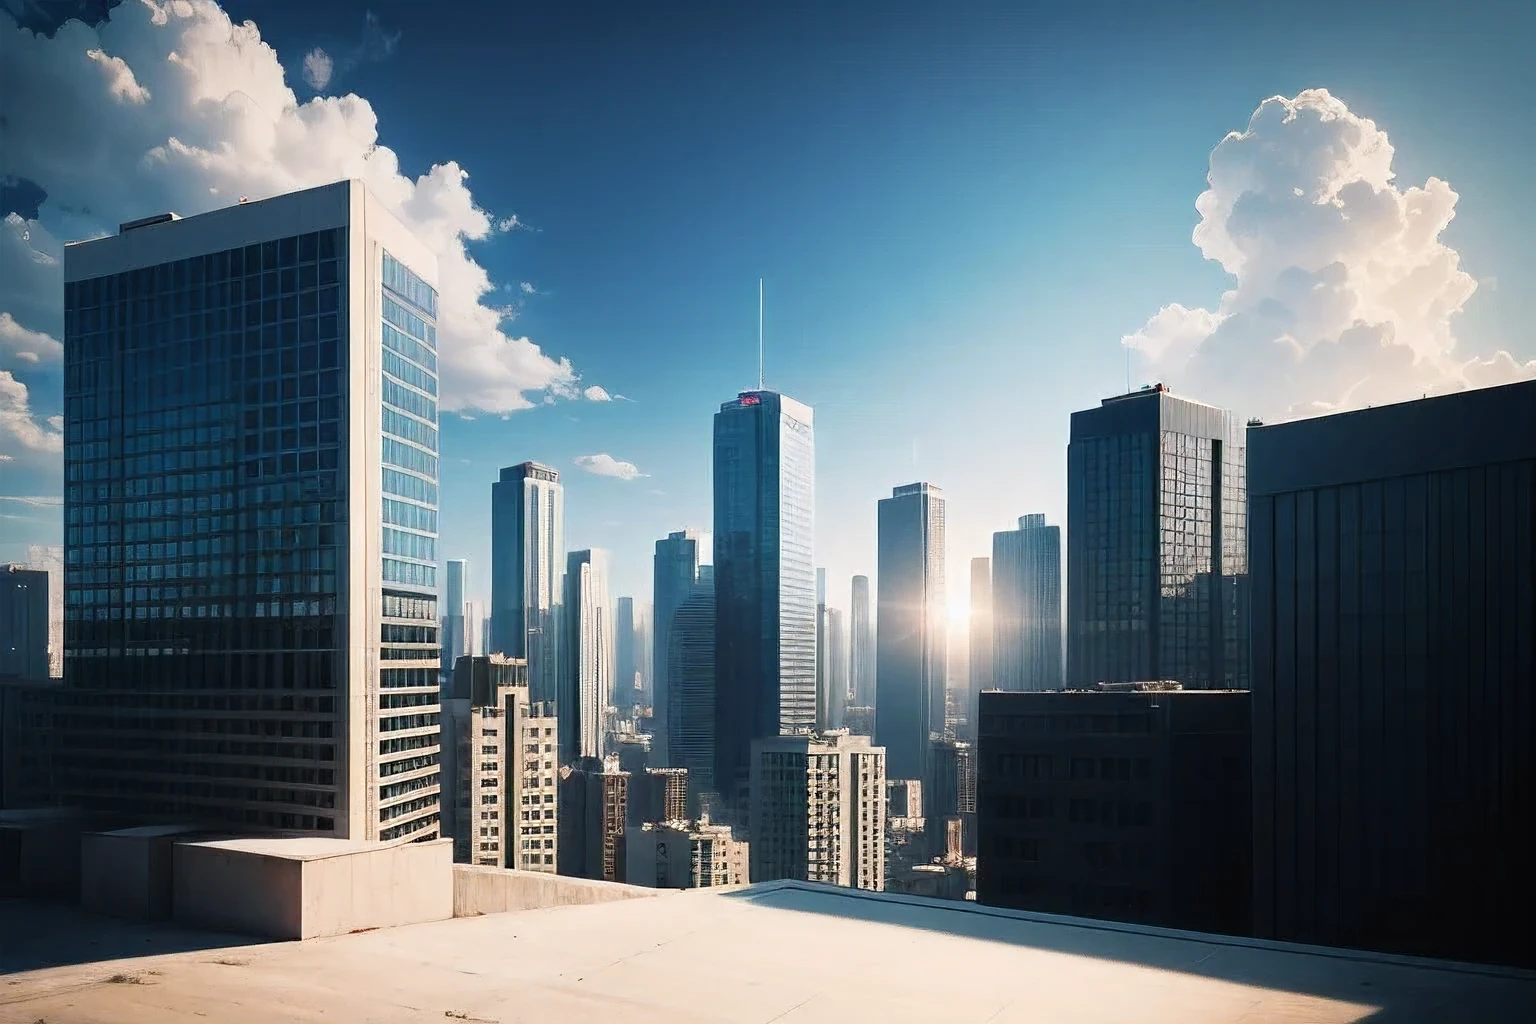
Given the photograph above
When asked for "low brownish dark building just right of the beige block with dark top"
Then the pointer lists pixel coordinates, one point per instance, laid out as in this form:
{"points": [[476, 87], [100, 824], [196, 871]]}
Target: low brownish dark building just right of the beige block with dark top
{"points": [[594, 813]]}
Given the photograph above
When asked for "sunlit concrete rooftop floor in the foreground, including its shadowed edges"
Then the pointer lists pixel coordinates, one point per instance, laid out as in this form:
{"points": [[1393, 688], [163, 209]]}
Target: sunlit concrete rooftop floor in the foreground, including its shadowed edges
{"points": [[783, 954]]}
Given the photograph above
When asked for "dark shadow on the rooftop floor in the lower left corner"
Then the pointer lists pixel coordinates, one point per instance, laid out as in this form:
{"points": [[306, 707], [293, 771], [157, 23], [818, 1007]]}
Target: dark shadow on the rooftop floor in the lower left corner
{"points": [[38, 936]]}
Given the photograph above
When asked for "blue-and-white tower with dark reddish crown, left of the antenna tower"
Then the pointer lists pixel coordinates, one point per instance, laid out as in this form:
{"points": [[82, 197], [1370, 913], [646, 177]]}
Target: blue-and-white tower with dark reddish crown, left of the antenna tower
{"points": [[528, 560]]}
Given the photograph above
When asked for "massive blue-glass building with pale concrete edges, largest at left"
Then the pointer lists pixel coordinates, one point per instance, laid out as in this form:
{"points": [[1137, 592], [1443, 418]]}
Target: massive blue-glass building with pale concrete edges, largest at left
{"points": [[251, 517]]}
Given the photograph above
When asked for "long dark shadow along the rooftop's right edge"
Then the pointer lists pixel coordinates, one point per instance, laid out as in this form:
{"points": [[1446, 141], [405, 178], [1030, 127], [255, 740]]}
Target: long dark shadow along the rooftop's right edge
{"points": [[1399, 989]]}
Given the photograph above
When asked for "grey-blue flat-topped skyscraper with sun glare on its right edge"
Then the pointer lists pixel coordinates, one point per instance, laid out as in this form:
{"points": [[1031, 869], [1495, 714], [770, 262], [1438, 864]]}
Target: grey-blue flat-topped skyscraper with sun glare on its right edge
{"points": [[912, 629]]}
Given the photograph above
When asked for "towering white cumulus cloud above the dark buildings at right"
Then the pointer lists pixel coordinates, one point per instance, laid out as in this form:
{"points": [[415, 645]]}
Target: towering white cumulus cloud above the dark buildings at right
{"points": [[1345, 294]]}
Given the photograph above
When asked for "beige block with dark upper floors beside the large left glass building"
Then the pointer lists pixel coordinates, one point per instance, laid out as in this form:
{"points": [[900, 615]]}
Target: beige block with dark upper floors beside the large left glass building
{"points": [[500, 767]]}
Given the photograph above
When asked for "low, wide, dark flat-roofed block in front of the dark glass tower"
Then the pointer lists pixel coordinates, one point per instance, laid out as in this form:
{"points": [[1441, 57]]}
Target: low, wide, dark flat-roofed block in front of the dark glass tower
{"points": [[1128, 804]]}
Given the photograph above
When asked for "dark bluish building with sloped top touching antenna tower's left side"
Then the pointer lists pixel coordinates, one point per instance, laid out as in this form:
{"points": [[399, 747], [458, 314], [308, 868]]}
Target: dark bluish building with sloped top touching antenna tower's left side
{"points": [[690, 689]]}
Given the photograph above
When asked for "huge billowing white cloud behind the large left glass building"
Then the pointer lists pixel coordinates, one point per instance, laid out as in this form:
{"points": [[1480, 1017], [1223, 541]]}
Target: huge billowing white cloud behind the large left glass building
{"points": [[219, 121]]}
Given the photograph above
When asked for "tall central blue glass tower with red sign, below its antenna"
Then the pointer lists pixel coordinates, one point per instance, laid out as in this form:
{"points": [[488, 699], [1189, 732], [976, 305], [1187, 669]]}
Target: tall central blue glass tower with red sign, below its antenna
{"points": [[764, 578]]}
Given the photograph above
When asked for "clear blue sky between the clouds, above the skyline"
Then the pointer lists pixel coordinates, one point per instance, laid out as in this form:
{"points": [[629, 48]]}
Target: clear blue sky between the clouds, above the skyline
{"points": [[959, 213]]}
